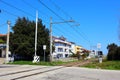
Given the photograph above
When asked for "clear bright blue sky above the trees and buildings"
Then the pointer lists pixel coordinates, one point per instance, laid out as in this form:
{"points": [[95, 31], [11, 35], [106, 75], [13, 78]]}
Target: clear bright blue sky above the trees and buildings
{"points": [[98, 19]]}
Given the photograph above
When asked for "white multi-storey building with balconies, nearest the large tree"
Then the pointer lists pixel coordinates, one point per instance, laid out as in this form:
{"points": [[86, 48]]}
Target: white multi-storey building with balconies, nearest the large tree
{"points": [[63, 48]]}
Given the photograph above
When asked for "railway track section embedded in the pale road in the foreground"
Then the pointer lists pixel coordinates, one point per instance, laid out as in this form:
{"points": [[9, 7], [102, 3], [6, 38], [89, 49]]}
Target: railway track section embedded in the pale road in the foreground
{"points": [[27, 73]]}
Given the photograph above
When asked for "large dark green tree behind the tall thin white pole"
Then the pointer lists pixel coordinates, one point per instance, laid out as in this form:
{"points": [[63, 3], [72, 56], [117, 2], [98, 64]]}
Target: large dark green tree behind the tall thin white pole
{"points": [[22, 38]]}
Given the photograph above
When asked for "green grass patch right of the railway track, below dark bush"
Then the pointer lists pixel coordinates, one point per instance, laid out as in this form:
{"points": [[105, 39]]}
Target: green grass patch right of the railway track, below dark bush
{"points": [[111, 65]]}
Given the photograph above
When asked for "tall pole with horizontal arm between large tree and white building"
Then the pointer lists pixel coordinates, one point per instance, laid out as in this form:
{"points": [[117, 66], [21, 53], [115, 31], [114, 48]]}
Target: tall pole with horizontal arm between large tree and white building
{"points": [[51, 33]]}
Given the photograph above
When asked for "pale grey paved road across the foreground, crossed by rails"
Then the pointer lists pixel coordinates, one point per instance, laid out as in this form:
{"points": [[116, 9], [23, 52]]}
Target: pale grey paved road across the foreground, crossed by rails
{"points": [[30, 72]]}
